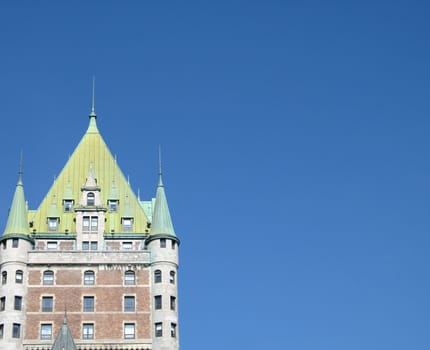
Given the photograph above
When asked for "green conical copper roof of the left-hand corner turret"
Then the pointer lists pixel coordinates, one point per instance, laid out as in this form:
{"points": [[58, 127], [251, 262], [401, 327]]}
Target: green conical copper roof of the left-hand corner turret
{"points": [[17, 222]]}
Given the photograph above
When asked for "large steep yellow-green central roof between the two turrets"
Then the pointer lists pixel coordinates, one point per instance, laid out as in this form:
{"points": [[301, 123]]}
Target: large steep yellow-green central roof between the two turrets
{"points": [[93, 157]]}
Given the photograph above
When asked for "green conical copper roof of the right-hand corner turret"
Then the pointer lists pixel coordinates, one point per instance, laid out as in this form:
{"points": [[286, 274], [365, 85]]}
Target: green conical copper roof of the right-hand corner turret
{"points": [[161, 221]]}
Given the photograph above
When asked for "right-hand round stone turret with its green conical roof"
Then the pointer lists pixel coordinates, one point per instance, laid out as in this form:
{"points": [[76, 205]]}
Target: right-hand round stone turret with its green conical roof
{"points": [[163, 245]]}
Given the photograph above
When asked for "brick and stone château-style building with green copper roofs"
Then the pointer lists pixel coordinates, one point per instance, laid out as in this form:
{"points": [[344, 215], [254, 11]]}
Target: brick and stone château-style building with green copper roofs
{"points": [[93, 267]]}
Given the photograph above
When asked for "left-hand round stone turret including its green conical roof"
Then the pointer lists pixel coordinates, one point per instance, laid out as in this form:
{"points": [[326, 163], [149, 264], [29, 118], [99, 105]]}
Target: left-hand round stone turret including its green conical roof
{"points": [[14, 245]]}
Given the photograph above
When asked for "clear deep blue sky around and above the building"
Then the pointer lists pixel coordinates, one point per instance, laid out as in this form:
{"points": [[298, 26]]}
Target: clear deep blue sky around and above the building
{"points": [[295, 150]]}
